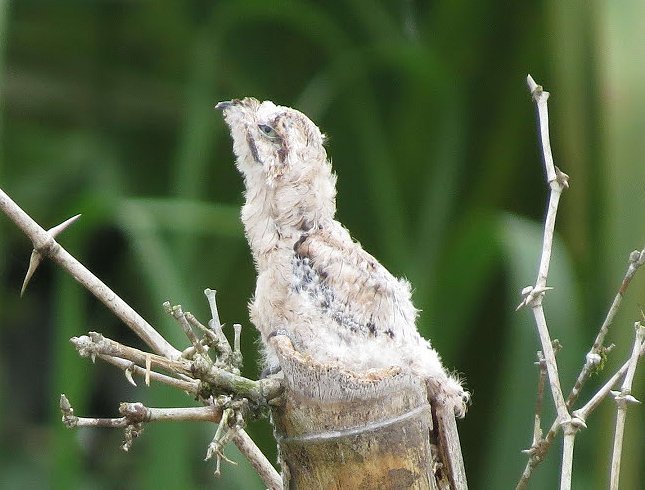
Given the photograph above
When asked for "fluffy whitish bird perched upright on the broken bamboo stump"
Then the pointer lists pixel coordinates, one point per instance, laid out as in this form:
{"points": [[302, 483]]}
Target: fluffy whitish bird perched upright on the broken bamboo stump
{"points": [[315, 283]]}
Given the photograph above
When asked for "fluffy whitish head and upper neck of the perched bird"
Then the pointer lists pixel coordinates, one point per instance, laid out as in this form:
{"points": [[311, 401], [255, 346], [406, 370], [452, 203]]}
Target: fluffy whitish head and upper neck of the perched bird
{"points": [[281, 155]]}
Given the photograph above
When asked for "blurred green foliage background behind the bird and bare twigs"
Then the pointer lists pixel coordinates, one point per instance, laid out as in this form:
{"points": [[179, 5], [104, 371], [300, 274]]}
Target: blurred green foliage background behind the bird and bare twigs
{"points": [[106, 110]]}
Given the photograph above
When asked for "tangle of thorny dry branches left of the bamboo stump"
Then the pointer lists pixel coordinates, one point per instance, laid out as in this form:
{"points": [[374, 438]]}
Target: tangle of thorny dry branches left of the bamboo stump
{"points": [[190, 370]]}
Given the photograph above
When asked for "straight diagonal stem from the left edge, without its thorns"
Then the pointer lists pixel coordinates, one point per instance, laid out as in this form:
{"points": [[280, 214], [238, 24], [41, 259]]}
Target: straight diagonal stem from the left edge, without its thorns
{"points": [[45, 245]]}
